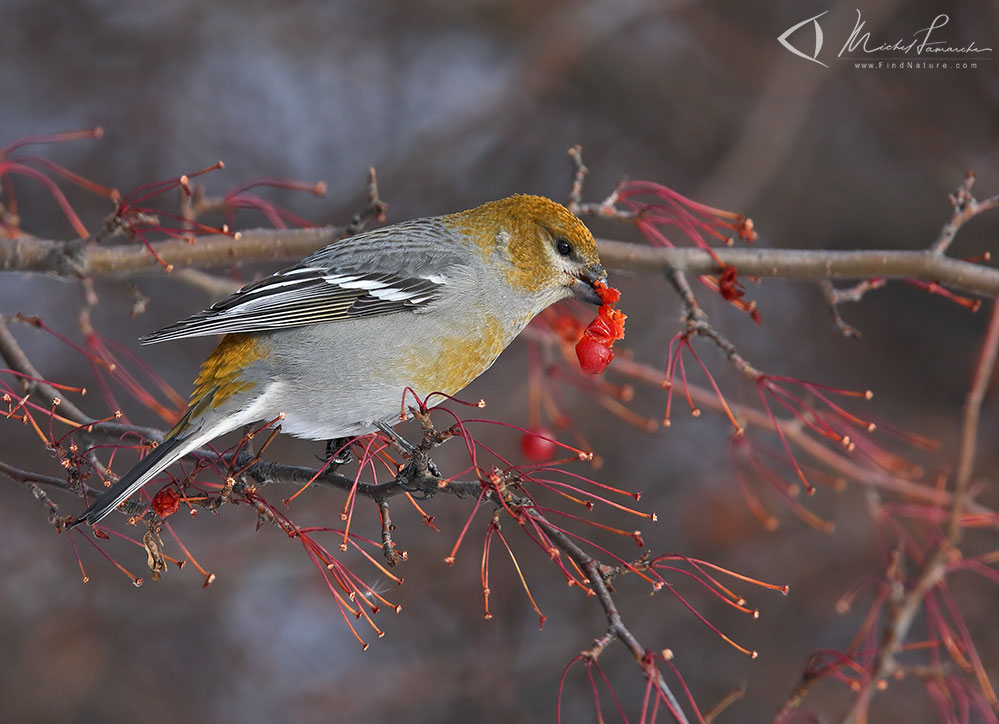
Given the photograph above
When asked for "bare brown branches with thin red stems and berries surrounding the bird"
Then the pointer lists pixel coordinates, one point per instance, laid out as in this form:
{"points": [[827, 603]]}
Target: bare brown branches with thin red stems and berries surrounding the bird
{"points": [[137, 238]]}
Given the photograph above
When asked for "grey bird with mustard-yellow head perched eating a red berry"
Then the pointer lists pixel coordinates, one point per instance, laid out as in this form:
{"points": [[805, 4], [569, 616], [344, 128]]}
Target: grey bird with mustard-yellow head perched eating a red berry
{"points": [[333, 341]]}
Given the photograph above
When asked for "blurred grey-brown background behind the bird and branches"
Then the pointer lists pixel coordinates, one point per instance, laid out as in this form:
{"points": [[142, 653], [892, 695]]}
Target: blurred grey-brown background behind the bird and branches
{"points": [[456, 104]]}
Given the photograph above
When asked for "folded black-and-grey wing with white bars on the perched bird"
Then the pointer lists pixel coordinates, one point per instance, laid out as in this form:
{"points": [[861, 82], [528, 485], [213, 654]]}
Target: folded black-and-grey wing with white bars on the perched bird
{"points": [[330, 286]]}
